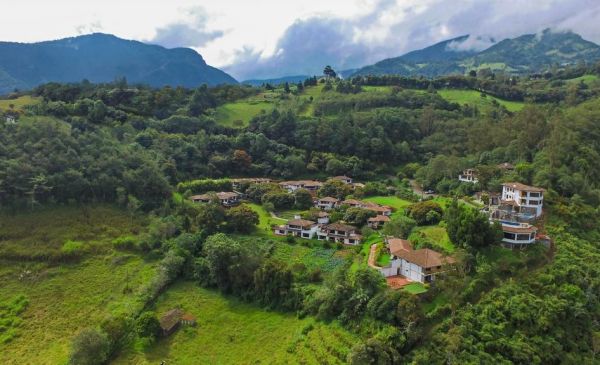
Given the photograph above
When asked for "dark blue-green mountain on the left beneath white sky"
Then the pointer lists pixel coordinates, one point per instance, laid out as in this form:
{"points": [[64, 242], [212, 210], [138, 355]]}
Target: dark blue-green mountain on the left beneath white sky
{"points": [[101, 58]]}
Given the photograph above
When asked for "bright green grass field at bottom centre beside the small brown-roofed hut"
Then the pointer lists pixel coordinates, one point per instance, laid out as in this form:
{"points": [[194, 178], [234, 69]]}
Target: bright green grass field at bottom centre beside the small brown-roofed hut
{"points": [[232, 332]]}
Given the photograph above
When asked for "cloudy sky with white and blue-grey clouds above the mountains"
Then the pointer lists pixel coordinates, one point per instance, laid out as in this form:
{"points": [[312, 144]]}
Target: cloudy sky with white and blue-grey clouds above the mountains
{"points": [[269, 38]]}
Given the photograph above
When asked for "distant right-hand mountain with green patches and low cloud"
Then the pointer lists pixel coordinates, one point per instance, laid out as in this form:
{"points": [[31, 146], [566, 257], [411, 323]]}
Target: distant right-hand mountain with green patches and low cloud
{"points": [[526, 53]]}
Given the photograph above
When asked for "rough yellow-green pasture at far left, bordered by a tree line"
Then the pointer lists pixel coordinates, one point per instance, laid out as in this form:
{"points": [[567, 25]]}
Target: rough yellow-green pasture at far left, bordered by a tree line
{"points": [[63, 299]]}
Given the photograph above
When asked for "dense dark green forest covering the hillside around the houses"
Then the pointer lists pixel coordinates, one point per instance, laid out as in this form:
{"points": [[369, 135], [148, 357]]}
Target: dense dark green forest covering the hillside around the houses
{"points": [[138, 147]]}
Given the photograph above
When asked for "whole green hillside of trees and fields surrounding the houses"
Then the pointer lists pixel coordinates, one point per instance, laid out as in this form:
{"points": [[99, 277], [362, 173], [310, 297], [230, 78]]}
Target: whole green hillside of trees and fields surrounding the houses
{"points": [[120, 162]]}
